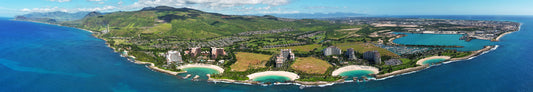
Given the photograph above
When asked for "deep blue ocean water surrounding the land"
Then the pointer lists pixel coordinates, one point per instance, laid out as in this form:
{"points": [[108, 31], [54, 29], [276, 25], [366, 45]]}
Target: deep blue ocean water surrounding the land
{"points": [[40, 57]]}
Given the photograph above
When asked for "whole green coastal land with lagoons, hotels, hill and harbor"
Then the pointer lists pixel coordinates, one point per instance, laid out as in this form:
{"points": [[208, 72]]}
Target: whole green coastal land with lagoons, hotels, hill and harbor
{"points": [[192, 44]]}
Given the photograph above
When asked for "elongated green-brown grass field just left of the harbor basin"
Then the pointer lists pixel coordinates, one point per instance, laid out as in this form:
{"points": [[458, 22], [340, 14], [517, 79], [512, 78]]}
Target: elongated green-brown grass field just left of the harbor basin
{"points": [[363, 47]]}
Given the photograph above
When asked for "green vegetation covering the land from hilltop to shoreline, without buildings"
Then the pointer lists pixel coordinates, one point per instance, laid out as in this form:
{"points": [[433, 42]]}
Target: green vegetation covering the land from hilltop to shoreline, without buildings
{"points": [[252, 43]]}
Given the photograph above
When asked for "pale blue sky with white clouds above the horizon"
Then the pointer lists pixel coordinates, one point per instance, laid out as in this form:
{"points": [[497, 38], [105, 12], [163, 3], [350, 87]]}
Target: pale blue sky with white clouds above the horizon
{"points": [[10, 8]]}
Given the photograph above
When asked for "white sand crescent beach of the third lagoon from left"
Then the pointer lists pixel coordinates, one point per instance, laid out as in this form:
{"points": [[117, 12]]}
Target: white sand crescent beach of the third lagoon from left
{"points": [[354, 67]]}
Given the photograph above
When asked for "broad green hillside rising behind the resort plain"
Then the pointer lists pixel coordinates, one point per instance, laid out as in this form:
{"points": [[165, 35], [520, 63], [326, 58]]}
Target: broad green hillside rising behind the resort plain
{"points": [[162, 21]]}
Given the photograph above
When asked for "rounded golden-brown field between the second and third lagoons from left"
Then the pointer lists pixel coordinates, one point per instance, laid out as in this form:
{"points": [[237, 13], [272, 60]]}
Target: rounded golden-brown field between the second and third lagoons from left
{"points": [[310, 65]]}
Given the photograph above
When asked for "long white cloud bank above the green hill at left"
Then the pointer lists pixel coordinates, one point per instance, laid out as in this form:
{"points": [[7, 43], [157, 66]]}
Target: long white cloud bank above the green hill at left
{"points": [[219, 6]]}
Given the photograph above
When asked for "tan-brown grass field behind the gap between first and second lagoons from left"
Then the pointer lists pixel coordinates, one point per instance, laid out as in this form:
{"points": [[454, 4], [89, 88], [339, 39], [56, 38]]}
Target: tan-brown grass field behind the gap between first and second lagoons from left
{"points": [[247, 60]]}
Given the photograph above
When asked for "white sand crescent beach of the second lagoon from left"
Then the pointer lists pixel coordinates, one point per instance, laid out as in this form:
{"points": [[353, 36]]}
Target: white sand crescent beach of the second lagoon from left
{"points": [[290, 75]]}
